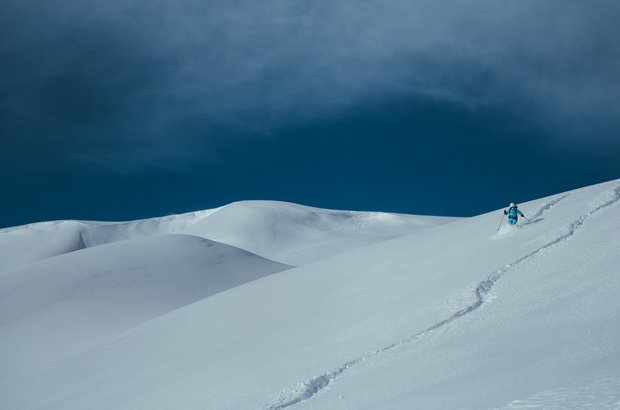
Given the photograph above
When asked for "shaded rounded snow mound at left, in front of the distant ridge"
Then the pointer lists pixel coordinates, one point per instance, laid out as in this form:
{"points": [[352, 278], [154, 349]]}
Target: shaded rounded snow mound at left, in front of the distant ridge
{"points": [[66, 304]]}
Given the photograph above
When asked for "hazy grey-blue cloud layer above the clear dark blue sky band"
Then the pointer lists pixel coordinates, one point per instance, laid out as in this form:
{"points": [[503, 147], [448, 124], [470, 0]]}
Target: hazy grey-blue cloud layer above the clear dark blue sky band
{"points": [[98, 79]]}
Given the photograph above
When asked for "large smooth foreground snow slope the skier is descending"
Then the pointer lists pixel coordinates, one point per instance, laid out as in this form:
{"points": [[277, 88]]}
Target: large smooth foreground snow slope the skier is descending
{"points": [[459, 316]]}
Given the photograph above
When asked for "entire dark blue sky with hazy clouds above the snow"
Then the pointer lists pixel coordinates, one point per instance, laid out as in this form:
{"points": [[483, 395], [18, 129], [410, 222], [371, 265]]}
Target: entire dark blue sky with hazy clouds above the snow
{"points": [[133, 108]]}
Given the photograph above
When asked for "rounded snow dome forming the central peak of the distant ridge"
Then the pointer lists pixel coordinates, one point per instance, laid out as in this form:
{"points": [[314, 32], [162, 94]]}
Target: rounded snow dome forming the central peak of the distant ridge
{"points": [[296, 234]]}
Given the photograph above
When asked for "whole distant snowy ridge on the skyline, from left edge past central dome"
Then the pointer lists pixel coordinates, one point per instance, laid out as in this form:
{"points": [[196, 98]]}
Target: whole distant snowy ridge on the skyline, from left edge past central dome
{"points": [[289, 233]]}
